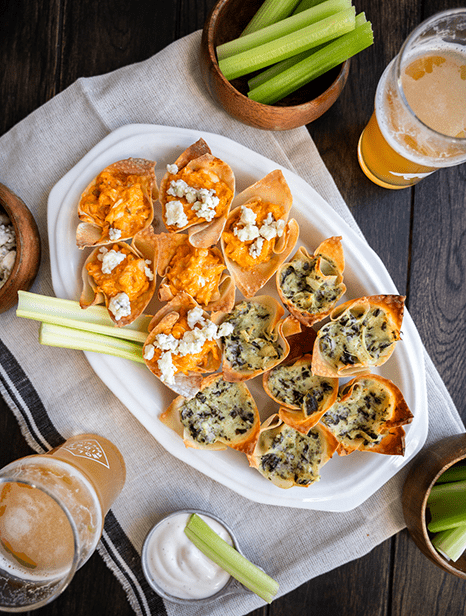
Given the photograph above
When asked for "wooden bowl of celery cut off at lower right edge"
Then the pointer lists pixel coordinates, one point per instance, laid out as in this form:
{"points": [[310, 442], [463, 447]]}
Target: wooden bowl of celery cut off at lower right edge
{"points": [[434, 503]]}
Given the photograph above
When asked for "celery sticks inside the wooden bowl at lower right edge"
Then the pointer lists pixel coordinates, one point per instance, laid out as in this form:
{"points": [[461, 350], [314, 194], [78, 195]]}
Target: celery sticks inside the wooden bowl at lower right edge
{"points": [[447, 506]]}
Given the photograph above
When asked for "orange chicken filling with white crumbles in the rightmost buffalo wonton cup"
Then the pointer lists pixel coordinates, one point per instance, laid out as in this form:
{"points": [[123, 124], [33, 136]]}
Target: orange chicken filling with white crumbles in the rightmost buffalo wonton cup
{"points": [[250, 235]]}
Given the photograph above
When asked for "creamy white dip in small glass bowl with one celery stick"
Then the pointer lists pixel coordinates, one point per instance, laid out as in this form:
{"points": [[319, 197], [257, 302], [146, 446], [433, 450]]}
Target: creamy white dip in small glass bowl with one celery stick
{"points": [[177, 566]]}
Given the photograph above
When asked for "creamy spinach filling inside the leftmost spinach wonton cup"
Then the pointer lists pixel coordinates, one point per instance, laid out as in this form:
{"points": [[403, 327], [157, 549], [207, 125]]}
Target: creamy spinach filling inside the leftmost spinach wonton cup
{"points": [[220, 411]]}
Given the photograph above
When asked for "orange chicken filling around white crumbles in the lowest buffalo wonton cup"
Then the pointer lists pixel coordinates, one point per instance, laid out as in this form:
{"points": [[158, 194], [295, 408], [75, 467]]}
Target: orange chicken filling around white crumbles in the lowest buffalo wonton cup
{"points": [[192, 362]]}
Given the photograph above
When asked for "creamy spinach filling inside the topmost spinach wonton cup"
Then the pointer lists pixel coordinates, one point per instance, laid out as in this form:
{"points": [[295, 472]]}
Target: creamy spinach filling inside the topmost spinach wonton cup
{"points": [[304, 287]]}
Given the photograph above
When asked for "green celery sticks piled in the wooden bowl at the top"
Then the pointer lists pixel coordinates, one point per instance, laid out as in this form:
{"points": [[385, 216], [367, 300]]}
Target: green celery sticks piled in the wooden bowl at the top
{"points": [[295, 42]]}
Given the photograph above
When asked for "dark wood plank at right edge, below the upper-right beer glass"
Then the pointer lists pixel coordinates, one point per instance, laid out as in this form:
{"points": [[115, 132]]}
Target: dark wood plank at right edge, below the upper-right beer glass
{"points": [[437, 285]]}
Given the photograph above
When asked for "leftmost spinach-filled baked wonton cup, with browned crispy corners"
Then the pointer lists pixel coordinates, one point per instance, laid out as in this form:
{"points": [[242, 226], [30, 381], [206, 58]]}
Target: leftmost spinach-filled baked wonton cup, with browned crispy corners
{"points": [[220, 415]]}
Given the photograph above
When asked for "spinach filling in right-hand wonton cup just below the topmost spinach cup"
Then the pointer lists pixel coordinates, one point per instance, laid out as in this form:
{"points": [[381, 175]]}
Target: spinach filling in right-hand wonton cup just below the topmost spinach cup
{"points": [[357, 337]]}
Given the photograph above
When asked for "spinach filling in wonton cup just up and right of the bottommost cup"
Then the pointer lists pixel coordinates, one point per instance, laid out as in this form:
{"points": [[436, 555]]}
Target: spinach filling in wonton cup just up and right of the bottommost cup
{"points": [[361, 417]]}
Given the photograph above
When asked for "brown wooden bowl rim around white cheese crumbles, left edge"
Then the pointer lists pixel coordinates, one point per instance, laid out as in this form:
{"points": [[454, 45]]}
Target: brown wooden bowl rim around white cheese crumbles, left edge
{"points": [[27, 248]]}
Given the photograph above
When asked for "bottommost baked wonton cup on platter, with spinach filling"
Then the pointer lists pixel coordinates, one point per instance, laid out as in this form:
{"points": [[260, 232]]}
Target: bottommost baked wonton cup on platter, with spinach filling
{"points": [[288, 458]]}
